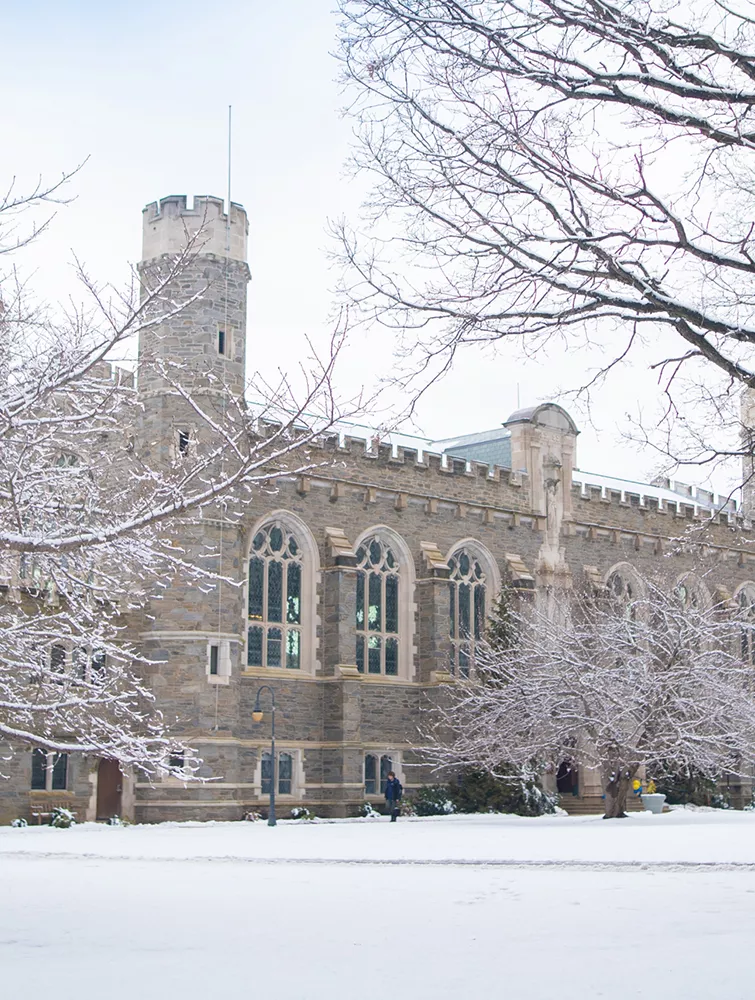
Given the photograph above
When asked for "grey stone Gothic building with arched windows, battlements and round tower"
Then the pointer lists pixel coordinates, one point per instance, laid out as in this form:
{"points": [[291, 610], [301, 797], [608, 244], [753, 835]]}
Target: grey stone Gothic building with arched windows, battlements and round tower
{"points": [[365, 582]]}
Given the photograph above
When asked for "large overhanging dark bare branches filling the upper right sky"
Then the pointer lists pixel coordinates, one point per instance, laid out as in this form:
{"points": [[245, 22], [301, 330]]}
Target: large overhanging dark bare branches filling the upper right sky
{"points": [[573, 167]]}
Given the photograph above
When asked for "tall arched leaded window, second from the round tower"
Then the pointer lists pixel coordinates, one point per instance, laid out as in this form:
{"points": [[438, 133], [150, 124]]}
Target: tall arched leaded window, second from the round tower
{"points": [[377, 608]]}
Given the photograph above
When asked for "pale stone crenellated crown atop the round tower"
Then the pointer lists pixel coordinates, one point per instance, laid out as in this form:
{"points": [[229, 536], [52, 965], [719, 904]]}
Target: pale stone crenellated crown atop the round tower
{"points": [[168, 224]]}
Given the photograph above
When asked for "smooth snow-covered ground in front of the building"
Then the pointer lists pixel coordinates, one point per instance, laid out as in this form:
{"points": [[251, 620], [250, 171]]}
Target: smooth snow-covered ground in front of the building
{"points": [[546, 909]]}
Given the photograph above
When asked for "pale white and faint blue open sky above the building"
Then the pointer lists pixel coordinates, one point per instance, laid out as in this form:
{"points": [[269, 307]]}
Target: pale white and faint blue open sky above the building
{"points": [[142, 90]]}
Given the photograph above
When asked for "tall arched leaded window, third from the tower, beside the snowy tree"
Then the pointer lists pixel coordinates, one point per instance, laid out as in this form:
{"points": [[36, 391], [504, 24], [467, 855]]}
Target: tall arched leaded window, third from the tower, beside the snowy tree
{"points": [[466, 591]]}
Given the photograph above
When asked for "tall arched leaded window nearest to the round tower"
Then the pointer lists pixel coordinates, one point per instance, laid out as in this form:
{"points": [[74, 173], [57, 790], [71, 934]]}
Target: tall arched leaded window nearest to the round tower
{"points": [[275, 616]]}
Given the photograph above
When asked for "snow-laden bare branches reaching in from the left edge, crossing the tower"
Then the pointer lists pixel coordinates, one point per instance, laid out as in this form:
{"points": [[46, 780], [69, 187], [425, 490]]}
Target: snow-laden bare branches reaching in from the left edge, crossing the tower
{"points": [[92, 516]]}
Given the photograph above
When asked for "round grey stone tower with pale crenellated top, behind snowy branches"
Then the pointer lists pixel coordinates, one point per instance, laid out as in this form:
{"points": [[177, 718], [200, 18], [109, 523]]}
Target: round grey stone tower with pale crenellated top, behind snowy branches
{"points": [[192, 634]]}
